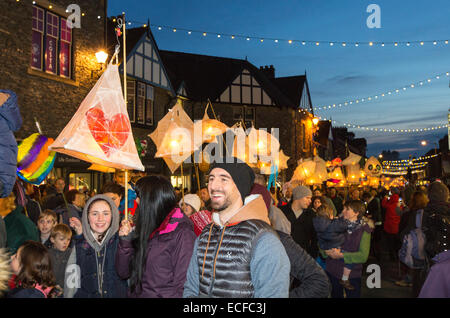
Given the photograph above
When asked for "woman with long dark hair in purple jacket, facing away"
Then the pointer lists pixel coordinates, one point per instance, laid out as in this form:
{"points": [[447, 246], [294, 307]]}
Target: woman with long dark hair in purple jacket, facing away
{"points": [[156, 254]]}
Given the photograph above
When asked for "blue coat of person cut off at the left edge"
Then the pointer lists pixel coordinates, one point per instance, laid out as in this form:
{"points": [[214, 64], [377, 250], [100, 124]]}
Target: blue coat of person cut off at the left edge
{"points": [[10, 121]]}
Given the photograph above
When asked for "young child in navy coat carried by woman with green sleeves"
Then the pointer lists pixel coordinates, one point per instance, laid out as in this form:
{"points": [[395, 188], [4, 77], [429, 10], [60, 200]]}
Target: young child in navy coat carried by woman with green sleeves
{"points": [[331, 234]]}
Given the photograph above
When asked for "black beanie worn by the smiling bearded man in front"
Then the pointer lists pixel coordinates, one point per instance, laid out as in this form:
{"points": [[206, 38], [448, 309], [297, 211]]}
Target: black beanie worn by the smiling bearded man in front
{"points": [[242, 175]]}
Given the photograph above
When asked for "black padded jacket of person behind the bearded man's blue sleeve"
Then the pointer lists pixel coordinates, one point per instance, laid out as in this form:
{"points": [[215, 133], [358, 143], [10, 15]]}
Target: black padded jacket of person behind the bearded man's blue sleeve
{"points": [[313, 281]]}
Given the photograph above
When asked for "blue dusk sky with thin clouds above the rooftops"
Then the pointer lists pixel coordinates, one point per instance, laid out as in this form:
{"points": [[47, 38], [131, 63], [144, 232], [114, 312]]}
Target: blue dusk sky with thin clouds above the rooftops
{"points": [[336, 74]]}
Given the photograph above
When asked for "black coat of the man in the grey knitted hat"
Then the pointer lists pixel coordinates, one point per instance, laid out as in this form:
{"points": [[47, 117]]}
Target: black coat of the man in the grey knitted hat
{"points": [[302, 229]]}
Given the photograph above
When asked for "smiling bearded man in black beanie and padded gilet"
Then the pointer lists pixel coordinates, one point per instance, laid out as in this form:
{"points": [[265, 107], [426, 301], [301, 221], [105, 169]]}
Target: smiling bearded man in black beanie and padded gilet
{"points": [[238, 254]]}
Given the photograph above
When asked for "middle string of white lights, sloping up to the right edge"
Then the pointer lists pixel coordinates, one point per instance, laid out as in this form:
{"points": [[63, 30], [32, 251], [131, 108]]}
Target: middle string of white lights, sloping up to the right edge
{"points": [[387, 93]]}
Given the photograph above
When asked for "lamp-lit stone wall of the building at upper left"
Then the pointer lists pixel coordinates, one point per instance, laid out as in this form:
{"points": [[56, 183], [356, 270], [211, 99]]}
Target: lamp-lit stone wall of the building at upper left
{"points": [[51, 99]]}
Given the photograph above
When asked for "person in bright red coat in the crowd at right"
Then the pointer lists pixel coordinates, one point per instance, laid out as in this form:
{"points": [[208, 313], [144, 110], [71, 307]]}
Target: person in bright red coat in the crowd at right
{"points": [[391, 222]]}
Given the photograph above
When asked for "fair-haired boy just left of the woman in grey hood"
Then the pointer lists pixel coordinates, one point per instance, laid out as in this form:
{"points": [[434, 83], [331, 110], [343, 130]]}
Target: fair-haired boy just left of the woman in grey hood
{"points": [[60, 252]]}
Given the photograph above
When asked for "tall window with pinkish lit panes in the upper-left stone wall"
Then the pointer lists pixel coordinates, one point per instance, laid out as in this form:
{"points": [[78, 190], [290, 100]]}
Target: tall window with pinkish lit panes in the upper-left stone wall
{"points": [[51, 43]]}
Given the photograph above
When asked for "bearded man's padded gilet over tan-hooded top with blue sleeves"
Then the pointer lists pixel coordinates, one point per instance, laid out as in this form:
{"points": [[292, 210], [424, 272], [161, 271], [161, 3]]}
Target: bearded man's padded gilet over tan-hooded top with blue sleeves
{"points": [[243, 251]]}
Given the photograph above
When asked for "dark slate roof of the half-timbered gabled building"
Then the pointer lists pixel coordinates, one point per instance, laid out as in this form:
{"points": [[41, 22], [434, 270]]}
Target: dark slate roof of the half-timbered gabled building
{"points": [[206, 77]]}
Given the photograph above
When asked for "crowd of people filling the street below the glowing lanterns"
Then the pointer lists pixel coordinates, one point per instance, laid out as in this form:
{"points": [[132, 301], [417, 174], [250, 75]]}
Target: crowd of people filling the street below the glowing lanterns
{"points": [[232, 238]]}
